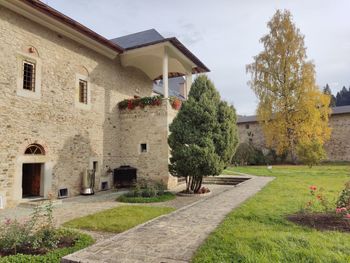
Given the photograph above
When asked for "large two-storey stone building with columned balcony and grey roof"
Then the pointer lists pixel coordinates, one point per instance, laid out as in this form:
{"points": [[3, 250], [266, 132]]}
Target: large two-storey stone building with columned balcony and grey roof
{"points": [[60, 85]]}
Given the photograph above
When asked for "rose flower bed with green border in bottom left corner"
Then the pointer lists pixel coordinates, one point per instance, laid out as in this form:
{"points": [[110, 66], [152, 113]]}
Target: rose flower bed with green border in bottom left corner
{"points": [[37, 240]]}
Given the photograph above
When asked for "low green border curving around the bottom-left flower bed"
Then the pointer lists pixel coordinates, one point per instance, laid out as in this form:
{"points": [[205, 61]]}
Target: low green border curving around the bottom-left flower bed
{"points": [[54, 256]]}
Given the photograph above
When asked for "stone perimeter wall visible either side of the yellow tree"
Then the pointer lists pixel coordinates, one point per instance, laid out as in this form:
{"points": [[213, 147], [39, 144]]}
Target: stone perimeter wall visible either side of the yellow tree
{"points": [[337, 148]]}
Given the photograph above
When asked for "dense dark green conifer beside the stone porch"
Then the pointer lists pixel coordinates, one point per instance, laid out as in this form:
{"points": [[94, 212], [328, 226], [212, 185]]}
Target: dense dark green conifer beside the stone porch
{"points": [[203, 135]]}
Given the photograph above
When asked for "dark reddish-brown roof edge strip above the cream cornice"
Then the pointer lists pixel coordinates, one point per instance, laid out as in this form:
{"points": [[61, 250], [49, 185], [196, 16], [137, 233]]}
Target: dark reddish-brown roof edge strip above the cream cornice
{"points": [[44, 8]]}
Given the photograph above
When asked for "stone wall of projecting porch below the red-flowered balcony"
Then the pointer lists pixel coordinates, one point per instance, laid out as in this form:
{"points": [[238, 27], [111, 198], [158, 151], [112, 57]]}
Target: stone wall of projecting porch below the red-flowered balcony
{"points": [[148, 126]]}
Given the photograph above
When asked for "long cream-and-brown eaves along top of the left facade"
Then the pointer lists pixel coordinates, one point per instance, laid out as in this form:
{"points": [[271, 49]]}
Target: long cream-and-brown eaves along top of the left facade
{"points": [[56, 21]]}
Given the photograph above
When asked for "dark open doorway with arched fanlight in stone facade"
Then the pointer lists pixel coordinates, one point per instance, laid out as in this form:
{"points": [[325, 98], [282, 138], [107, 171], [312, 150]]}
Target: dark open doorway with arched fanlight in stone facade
{"points": [[32, 173]]}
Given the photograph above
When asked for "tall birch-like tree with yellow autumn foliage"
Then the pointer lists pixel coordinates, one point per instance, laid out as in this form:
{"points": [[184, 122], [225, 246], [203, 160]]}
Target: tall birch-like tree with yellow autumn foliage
{"points": [[292, 109]]}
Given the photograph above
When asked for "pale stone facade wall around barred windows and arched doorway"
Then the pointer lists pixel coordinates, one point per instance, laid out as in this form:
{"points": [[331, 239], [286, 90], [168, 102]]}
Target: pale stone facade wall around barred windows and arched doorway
{"points": [[73, 137]]}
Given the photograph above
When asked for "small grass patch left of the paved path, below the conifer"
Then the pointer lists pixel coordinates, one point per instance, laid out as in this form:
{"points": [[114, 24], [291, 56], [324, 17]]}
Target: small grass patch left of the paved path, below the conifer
{"points": [[118, 219]]}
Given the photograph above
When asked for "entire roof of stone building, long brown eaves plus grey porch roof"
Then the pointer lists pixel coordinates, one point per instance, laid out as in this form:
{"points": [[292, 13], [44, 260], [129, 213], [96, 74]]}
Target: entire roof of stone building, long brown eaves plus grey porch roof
{"points": [[37, 10]]}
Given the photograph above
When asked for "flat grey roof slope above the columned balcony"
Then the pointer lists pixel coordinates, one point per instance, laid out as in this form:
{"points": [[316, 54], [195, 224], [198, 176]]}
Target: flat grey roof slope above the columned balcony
{"points": [[138, 39]]}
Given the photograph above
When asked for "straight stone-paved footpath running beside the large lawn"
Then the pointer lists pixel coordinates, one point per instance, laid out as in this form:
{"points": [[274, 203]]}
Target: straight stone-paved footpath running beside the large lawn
{"points": [[173, 237]]}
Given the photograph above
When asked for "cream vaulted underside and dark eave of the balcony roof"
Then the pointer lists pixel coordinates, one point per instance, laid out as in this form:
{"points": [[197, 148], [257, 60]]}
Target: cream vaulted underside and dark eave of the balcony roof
{"points": [[149, 59]]}
